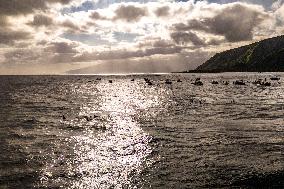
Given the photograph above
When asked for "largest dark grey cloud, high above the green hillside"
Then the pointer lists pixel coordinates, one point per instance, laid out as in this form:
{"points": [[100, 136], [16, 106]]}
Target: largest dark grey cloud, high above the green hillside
{"points": [[235, 23]]}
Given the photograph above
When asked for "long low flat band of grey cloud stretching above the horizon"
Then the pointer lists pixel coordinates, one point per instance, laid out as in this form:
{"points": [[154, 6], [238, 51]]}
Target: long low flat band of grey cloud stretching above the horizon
{"points": [[62, 52]]}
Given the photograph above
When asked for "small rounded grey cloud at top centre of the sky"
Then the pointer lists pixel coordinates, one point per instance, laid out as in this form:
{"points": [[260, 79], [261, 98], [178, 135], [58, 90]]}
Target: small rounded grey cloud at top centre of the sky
{"points": [[130, 13]]}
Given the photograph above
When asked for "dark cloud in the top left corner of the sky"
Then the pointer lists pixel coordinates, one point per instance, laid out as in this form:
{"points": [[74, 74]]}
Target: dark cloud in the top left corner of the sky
{"points": [[15, 7]]}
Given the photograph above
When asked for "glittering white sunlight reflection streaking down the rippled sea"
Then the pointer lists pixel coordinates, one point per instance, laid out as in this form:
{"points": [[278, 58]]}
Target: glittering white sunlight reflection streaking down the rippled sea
{"points": [[115, 156]]}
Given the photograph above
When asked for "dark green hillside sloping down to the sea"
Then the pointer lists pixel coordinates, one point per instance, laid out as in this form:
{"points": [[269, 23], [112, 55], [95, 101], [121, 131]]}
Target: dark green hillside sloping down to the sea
{"points": [[262, 56]]}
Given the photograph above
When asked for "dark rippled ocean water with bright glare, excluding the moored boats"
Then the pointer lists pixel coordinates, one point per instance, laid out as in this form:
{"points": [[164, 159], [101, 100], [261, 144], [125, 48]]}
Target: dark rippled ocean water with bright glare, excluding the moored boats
{"points": [[128, 134]]}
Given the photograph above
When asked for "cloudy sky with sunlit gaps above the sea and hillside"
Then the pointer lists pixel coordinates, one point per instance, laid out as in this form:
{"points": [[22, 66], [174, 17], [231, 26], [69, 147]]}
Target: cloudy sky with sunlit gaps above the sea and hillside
{"points": [[122, 36]]}
